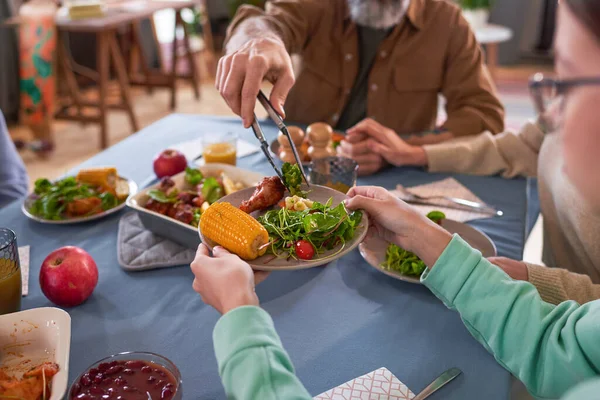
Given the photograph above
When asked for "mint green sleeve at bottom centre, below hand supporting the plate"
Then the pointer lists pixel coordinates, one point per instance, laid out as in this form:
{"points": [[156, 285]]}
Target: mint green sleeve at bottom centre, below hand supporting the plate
{"points": [[252, 361]]}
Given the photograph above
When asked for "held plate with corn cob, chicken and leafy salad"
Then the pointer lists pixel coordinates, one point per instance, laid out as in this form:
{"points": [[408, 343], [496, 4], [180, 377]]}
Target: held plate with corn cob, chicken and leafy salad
{"points": [[284, 225]]}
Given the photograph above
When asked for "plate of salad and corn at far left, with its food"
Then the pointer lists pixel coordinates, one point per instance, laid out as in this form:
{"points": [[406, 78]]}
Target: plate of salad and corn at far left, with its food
{"points": [[93, 193]]}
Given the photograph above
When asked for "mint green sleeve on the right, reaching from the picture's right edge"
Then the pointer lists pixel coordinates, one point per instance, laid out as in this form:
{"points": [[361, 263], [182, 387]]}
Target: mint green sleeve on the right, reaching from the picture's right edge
{"points": [[550, 348]]}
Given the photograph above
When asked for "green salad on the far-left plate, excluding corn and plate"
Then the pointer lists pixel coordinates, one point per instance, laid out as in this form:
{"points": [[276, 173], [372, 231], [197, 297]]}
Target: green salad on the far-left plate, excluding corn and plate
{"points": [[69, 198]]}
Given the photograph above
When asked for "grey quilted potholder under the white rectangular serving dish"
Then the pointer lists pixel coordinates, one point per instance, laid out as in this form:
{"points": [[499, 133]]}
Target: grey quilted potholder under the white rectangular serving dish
{"points": [[139, 249]]}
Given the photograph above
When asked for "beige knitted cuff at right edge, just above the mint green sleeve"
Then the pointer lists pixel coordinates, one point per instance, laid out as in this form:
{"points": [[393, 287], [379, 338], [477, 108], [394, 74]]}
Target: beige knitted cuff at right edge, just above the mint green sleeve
{"points": [[556, 285]]}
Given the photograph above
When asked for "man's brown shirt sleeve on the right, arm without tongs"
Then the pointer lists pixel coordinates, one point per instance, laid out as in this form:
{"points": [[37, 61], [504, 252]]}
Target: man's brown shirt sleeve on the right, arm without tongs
{"points": [[472, 104]]}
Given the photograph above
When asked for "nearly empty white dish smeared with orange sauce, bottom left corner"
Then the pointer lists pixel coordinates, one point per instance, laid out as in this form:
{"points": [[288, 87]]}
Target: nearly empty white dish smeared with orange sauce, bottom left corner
{"points": [[32, 337]]}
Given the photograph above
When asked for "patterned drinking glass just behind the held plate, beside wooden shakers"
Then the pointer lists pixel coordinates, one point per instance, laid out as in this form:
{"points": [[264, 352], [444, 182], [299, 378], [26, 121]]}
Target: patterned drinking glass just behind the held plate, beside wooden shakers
{"points": [[338, 173]]}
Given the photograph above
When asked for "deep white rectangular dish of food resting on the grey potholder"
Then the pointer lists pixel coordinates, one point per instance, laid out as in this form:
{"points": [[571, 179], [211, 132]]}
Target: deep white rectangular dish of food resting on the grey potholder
{"points": [[173, 207]]}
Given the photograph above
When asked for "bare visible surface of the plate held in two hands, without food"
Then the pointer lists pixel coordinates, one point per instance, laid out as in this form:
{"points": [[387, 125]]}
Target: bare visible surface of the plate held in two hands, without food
{"points": [[317, 193]]}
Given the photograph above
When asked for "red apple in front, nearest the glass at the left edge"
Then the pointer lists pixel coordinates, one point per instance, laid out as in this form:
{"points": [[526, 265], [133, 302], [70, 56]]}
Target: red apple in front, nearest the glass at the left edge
{"points": [[68, 276]]}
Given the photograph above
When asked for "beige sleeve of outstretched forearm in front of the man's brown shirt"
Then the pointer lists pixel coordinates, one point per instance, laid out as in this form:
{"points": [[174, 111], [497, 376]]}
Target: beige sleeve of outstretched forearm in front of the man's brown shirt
{"points": [[508, 153]]}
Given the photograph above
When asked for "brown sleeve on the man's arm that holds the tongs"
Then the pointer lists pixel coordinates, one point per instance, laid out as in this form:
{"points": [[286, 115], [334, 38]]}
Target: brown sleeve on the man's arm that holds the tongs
{"points": [[292, 20]]}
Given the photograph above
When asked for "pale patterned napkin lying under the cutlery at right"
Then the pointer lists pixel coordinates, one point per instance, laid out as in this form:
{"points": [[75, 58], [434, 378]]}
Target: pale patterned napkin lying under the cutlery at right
{"points": [[446, 187]]}
